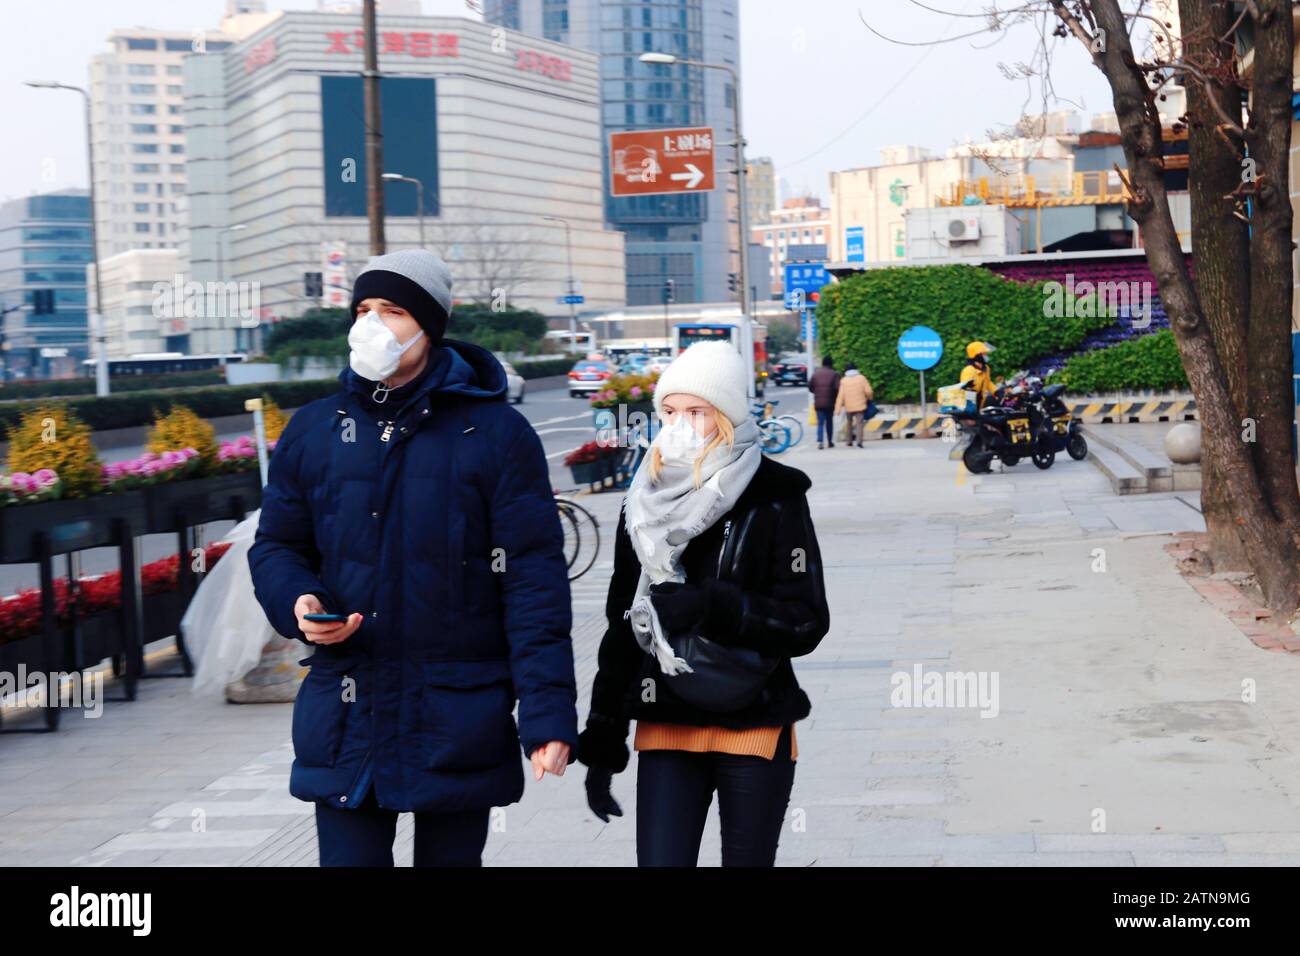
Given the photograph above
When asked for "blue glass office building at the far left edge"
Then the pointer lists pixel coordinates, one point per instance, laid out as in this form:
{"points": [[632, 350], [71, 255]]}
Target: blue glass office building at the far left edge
{"points": [[45, 246]]}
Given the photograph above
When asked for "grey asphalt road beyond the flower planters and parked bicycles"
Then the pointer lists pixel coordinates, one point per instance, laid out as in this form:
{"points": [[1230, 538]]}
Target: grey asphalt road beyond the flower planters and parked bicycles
{"points": [[562, 423]]}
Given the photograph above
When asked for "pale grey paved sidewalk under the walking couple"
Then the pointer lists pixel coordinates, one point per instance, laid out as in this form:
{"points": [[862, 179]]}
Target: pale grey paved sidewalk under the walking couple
{"points": [[1120, 706]]}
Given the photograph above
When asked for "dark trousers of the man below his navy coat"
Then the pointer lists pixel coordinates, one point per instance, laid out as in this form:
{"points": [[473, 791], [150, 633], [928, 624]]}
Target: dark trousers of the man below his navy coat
{"points": [[365, 837]]}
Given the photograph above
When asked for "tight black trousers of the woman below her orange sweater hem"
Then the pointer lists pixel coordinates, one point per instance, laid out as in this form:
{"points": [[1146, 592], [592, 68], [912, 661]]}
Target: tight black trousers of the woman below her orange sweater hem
{"points": [[677, 788]]}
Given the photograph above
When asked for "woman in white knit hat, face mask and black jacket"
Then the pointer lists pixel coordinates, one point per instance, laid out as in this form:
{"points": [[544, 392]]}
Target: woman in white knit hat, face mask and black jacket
{"points": [[717, 540]]}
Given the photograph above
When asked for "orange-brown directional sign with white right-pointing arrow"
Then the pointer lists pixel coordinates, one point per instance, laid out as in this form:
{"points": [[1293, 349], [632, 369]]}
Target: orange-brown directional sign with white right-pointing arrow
{"points": [[647, 162]]}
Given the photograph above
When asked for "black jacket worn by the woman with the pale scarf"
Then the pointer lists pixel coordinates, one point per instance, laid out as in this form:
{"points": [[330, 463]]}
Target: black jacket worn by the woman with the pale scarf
{"points": [[761, 570]]}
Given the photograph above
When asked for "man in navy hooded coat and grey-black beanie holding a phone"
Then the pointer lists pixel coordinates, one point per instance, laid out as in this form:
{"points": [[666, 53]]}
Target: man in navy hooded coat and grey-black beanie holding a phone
{"points": [[417, 507]]}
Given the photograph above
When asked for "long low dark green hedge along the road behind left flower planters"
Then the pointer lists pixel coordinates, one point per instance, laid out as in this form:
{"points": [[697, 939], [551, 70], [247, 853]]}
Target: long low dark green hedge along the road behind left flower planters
{"points": [[137, 408]]}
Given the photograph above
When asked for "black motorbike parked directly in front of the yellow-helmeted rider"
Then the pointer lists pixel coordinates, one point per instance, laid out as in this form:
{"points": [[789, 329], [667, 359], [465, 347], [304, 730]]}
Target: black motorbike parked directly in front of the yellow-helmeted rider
{"points": [[1009, 427]]}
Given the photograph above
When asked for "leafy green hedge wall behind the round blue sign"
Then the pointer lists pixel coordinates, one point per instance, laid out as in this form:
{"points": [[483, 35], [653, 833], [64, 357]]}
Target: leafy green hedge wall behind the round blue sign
{"points": [[863, 317]]}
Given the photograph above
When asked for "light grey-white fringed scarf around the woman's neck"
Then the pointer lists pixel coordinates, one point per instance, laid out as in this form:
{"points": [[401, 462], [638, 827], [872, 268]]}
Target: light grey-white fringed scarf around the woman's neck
{"points": [[664, 517]]}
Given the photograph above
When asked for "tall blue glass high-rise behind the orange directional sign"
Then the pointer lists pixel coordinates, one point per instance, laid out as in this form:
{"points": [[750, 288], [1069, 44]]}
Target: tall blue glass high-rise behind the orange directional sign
{"points": [[692, 240]]}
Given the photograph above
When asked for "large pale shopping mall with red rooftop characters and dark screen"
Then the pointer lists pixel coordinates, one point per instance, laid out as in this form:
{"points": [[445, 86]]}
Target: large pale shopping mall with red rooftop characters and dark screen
{"points": [[501, 131]]}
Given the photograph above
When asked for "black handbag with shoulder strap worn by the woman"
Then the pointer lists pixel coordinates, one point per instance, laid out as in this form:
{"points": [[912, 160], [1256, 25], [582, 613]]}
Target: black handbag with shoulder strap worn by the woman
{"points": [[722, 678]]}
